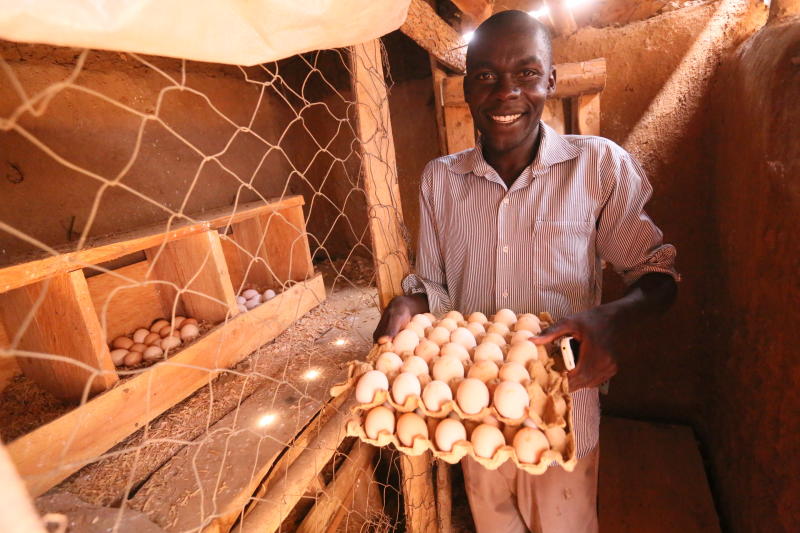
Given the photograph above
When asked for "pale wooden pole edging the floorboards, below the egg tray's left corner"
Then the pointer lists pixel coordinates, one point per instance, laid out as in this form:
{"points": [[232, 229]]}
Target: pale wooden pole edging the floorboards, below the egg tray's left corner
{"points": [[282, 495]]}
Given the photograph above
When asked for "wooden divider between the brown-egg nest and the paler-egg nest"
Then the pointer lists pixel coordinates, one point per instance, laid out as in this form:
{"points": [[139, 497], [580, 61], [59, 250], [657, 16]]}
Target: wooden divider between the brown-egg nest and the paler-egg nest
{"points": [[196, 265]]}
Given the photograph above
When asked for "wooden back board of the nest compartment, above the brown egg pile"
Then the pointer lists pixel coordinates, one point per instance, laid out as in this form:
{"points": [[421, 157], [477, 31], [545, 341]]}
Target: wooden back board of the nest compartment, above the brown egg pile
{"points": [[124, 300]]}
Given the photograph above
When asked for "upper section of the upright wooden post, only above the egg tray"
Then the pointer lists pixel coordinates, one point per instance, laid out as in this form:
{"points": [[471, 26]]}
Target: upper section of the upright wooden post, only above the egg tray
{"points": [[379, 170]]}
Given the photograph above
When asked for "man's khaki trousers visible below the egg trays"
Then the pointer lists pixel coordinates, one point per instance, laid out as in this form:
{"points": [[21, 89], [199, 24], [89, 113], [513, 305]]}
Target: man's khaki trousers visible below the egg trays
{"points": [[508, 500]]}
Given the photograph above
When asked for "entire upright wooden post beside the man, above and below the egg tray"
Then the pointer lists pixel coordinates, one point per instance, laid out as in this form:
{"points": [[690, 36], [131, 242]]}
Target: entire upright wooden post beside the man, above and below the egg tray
{"points": [[388, 244]]}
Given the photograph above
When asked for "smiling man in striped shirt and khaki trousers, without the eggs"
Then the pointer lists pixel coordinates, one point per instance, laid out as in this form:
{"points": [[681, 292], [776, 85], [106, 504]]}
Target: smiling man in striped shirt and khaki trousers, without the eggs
{"points": [[524, 221]]}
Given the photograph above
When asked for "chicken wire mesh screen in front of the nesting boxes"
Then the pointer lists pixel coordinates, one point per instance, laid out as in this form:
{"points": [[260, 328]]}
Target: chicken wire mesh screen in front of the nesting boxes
{"points": [[224, 194]]}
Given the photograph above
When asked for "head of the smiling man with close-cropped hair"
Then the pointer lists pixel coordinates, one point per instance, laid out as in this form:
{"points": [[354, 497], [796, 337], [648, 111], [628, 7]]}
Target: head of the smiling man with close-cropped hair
{"points": [[509, 76]]}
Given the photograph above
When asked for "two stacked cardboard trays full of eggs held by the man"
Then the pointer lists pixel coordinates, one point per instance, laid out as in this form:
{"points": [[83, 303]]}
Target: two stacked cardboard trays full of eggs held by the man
{"points": [[545, 422]]}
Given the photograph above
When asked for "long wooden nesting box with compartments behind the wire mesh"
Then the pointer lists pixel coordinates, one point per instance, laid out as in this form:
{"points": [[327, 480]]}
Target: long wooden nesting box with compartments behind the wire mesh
{"points": [[194, 268]]}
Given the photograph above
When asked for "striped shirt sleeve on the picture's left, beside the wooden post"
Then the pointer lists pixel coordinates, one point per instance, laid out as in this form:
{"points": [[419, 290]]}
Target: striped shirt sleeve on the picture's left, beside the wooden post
{"points": [[430, 276]]}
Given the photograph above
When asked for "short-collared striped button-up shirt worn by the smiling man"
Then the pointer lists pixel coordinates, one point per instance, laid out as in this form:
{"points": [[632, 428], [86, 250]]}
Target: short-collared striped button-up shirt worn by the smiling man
{"points": [[539, 245]]}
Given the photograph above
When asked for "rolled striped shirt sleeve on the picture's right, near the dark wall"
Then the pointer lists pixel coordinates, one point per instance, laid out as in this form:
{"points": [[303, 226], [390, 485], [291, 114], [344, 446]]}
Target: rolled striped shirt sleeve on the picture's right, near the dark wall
{"points": [[626, 236]]}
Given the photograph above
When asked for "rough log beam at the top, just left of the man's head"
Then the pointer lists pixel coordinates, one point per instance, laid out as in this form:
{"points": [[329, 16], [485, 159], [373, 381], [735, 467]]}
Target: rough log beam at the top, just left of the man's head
{"points": [[435, 35]]}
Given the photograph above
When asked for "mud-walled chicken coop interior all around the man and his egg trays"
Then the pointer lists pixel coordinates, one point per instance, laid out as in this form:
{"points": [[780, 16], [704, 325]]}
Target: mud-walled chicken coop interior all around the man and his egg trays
{"points": [[198, 234]]}
